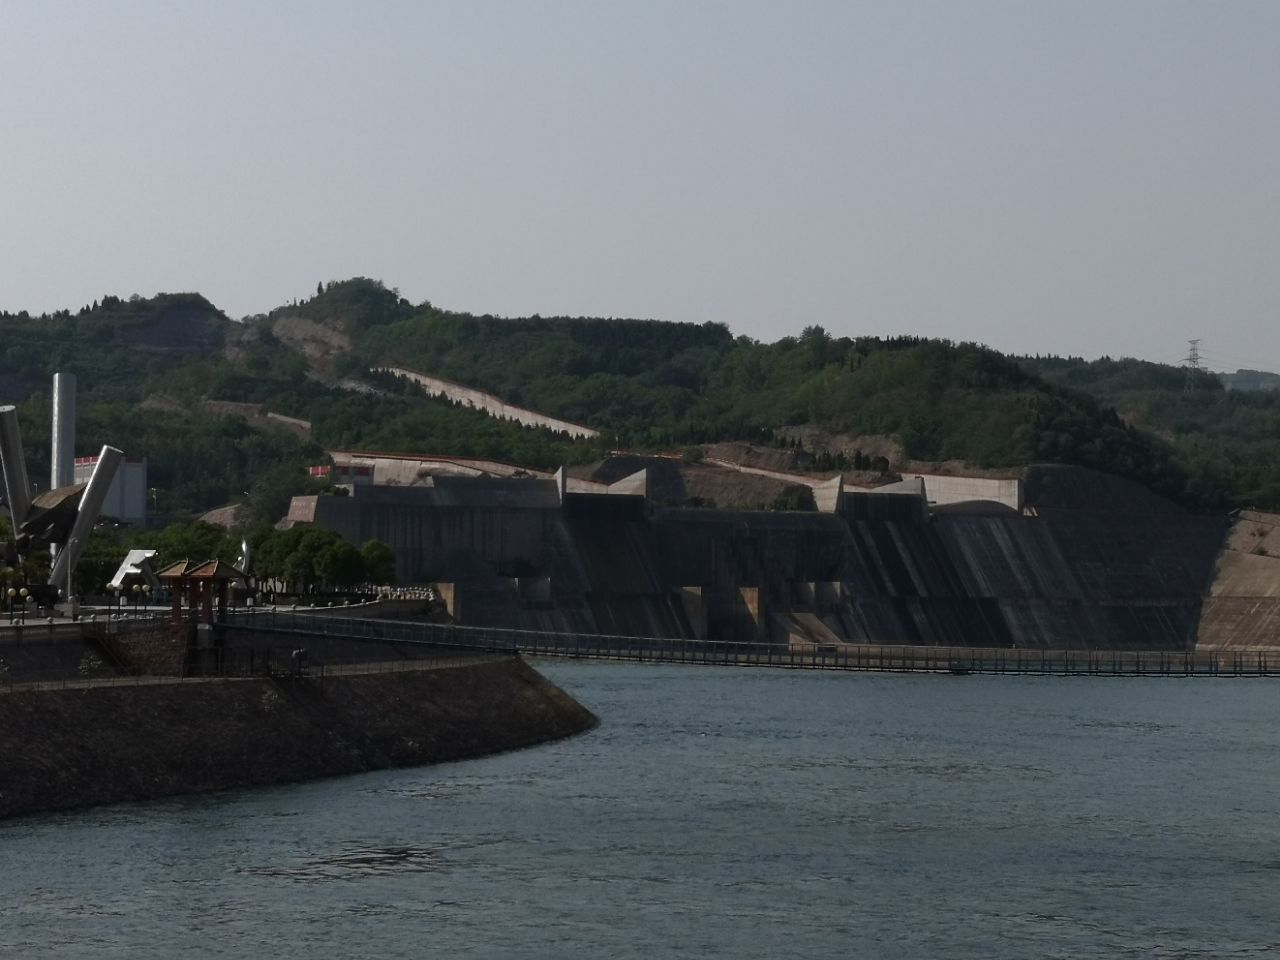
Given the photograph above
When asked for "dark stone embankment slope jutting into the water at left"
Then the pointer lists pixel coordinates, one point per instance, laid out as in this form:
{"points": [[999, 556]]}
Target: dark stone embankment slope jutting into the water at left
{"points": [[89, 746]]}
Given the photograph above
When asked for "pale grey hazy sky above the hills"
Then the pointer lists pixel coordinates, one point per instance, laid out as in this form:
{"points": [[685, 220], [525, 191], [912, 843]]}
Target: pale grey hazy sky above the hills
{"points": [[1064, 177]]}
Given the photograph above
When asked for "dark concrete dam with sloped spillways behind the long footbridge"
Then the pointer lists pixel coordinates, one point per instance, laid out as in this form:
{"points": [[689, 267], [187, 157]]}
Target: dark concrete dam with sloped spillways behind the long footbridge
{"points": [[1090, 563]]}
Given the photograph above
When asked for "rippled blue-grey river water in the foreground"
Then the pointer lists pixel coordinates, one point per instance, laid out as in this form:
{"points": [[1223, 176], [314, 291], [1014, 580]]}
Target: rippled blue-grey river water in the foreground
{"points": [[720, 812]]}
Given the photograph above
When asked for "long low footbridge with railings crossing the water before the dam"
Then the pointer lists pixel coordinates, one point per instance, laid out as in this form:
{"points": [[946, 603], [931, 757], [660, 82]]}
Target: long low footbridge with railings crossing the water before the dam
{"points": [[296, 627]]}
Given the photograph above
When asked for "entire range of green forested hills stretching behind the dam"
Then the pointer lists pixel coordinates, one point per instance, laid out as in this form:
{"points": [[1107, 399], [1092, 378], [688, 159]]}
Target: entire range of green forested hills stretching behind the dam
{"points": [[162, 378]]}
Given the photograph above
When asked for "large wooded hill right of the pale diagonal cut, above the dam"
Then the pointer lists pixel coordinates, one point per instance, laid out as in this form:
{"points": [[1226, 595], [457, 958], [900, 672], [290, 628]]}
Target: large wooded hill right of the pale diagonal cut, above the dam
{"points": [[657, 386]]}
